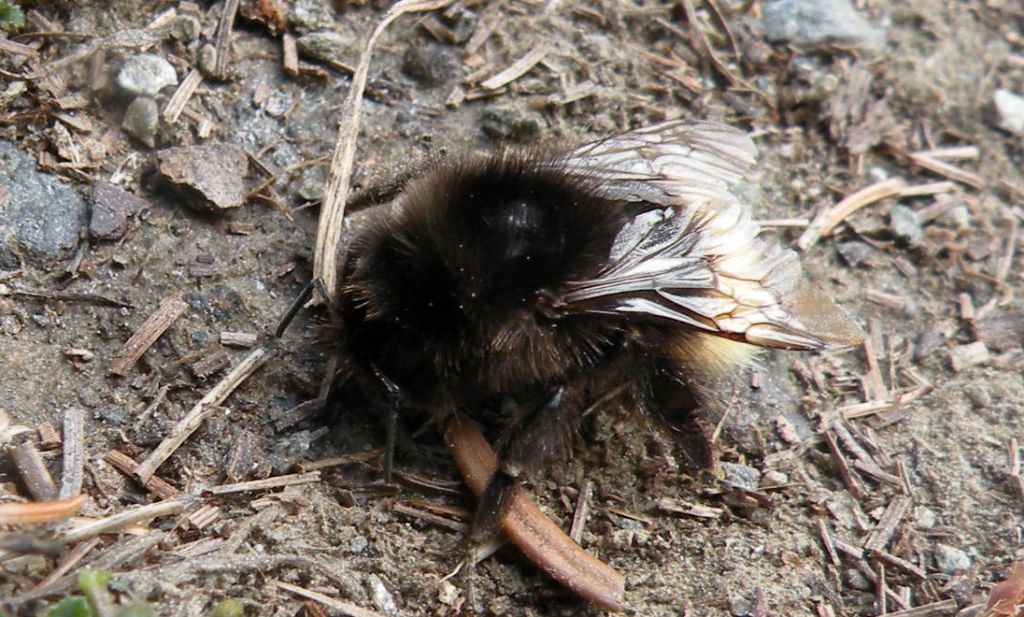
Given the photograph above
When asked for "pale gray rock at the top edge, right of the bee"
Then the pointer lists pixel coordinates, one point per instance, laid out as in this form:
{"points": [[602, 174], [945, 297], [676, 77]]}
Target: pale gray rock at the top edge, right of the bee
{"points": [[818, 23]]}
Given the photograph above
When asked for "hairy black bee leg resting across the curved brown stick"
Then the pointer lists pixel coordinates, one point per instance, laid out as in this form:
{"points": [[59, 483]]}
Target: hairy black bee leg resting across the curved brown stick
{"points": [[537, 439]]}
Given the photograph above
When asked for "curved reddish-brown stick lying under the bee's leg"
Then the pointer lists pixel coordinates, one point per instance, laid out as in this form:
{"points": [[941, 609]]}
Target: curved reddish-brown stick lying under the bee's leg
{"points": [[537, 536]]}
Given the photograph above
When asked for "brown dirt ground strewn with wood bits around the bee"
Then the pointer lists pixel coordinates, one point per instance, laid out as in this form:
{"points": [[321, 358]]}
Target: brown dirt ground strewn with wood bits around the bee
{"points": [[909, 447]]}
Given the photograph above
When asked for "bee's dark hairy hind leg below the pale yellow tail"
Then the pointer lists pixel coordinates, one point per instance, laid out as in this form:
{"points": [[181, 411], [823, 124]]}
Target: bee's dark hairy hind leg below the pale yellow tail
{"points": [[663, 393]]}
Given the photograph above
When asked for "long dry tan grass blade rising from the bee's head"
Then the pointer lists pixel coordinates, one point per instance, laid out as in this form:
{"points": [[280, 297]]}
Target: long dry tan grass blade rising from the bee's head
{"points": [[336, 192]]}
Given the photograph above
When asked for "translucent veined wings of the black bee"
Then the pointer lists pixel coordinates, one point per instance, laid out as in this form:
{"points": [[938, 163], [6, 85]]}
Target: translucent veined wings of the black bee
{"points": [[696, 258]]}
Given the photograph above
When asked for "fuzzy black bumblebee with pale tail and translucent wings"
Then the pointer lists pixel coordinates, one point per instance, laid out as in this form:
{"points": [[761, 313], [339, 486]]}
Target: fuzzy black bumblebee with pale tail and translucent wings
{"points": [[537, 283]]}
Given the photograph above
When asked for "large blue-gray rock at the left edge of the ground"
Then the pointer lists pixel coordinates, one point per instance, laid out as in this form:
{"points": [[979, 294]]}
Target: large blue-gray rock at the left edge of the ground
{"points": [[40, 216]]}
